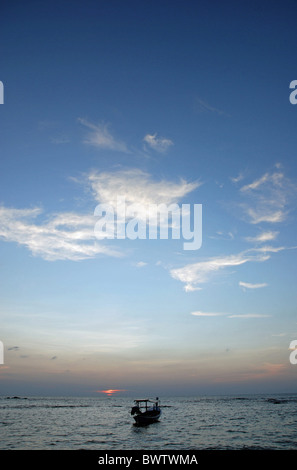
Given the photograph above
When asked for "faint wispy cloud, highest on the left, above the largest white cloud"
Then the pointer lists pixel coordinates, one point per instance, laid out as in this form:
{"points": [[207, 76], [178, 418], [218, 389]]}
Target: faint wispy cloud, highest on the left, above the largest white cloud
{"points": [[100, 137]]}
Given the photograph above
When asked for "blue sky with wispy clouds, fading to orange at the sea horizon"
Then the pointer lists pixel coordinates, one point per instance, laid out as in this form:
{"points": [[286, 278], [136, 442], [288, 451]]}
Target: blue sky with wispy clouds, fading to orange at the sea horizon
{"points": [[167, 102]]}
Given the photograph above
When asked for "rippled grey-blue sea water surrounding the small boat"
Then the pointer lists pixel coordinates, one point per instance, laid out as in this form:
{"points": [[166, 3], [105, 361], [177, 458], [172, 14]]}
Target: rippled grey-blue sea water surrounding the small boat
{"points": [[187, 423]]}
